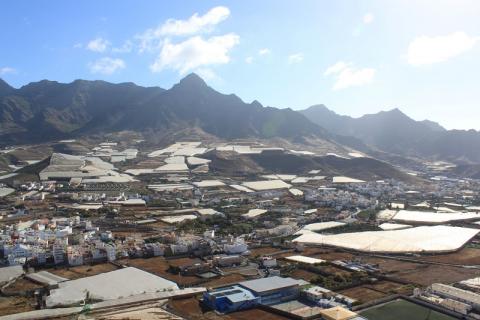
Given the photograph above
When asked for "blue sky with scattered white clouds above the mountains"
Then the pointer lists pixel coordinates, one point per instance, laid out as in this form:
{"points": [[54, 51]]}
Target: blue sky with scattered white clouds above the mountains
{"points": [[356, 57]]}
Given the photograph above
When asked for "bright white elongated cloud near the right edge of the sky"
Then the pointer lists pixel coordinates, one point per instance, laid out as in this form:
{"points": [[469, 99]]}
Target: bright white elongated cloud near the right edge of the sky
{"points": [[424, 50]]}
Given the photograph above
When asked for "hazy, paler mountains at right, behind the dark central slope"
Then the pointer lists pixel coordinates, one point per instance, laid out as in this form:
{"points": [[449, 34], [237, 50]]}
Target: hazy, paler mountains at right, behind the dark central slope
{"points": [[394, 132]]}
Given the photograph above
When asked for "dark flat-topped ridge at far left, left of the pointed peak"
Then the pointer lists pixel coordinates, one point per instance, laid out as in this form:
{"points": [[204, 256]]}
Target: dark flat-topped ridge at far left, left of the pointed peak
{"points": [[49, 110]]}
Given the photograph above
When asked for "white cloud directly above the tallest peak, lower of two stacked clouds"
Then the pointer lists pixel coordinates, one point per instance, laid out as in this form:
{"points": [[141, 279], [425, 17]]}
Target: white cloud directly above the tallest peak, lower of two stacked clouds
{"points": [[195, 52]]}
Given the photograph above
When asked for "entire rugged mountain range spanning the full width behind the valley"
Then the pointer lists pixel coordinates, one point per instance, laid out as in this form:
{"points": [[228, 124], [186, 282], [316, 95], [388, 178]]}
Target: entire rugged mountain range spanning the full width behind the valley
{"points": [[47, 110]]}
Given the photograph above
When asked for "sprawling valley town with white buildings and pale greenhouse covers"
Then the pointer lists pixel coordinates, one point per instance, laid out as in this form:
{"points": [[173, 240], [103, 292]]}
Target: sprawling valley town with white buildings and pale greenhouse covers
{"points": [[119, 229]]}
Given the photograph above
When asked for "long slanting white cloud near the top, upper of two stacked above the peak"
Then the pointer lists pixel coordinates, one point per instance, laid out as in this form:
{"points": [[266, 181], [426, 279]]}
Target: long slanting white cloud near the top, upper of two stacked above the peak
{"points": [[151, 39]]}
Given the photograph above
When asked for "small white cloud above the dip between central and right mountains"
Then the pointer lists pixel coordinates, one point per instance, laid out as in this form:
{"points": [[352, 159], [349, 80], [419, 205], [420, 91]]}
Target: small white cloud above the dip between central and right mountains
{"points": [[346, 75]]}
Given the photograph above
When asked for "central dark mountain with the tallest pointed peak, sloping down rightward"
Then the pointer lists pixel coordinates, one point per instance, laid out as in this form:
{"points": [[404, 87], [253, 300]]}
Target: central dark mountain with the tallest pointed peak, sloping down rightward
{"points": [[226, 116]]}
